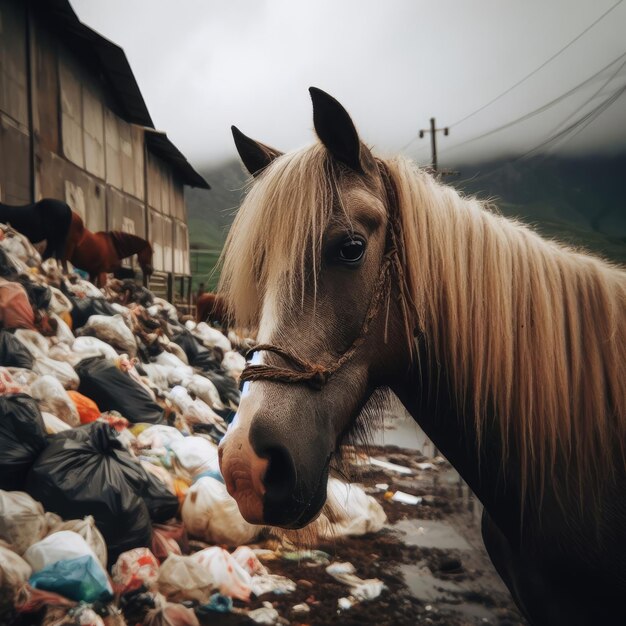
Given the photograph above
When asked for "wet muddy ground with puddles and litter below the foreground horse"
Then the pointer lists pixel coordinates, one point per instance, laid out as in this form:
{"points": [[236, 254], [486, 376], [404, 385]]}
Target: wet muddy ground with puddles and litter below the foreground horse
{"points": [[430, 557]]}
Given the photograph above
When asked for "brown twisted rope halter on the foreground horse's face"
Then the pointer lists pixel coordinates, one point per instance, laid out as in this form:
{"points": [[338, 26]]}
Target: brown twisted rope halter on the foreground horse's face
{"points": [[317, 375]]}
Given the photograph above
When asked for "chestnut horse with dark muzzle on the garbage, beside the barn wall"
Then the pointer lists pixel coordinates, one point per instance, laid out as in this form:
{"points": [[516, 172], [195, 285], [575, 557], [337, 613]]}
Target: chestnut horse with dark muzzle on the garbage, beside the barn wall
{"points": [[102, 252]]}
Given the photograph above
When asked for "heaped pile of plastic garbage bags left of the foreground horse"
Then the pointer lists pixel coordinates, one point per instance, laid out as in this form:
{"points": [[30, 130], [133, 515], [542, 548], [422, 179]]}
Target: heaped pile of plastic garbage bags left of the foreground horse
{"points": [[112, 506]]}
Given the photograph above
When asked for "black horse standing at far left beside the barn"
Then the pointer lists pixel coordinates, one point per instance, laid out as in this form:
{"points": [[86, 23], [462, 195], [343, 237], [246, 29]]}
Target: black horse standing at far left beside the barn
{"points": [[46, 220]]}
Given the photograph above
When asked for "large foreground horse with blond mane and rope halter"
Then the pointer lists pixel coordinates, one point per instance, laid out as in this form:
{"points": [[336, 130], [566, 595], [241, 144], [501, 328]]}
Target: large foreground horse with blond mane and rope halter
{"points": [[364, 274]]}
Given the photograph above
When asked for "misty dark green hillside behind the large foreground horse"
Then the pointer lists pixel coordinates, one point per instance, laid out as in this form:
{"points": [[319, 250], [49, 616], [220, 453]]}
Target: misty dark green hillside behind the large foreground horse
{"points": [[581, 202]]}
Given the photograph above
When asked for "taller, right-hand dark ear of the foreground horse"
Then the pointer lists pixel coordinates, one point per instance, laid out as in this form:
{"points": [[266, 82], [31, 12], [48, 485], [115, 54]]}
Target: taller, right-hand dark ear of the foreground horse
{"points": [[336, 130]]}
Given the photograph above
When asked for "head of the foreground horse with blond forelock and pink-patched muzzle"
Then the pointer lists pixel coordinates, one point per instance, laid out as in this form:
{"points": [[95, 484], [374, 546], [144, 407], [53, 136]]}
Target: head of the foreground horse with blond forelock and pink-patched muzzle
{"points": [[311, 260]]}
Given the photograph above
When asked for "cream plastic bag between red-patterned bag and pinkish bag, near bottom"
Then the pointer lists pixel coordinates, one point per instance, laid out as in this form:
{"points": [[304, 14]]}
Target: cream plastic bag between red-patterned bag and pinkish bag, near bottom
{"points": [[182, 578]]}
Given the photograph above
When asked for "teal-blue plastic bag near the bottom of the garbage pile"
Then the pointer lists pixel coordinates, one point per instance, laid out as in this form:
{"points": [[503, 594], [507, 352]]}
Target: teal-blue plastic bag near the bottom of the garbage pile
{"points": [[81, 579]]}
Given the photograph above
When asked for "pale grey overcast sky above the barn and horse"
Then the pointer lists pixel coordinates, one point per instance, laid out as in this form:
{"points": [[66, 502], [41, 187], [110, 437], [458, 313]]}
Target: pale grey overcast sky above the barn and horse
{"points": [[203, 65]]}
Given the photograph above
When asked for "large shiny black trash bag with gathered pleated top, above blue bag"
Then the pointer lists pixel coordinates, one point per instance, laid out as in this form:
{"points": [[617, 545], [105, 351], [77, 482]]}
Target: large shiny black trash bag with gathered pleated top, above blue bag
{"points": [[87, 471]]}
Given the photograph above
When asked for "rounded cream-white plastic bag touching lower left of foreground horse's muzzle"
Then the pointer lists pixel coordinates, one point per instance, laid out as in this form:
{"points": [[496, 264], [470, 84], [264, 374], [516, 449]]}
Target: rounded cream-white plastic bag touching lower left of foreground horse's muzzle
{"points": [[211, 514]]}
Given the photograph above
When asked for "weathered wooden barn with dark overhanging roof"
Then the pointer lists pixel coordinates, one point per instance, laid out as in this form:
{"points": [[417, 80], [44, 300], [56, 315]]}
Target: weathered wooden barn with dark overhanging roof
{"points": [[74, 126]]}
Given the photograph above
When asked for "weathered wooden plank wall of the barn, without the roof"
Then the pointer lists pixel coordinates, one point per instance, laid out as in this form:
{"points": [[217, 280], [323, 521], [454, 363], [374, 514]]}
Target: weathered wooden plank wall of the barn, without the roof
{"points": [[61, 137]]}
